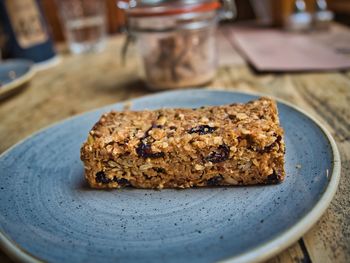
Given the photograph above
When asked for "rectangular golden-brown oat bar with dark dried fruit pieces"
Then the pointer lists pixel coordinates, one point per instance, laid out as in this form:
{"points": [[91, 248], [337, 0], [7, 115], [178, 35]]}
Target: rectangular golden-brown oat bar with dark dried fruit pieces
{"points": [[237, 144]]}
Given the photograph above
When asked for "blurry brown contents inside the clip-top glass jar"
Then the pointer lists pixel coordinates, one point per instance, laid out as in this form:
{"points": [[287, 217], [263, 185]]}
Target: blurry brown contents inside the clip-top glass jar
{"points": [[179, 59]]}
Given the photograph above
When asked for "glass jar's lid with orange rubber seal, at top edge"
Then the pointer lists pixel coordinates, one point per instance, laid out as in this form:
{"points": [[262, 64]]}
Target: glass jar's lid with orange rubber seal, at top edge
{"points": [[143, 8]]}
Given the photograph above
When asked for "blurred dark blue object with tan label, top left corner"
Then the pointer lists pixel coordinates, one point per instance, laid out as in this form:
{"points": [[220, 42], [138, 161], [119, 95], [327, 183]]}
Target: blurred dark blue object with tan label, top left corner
{"points": [[24, 31]]}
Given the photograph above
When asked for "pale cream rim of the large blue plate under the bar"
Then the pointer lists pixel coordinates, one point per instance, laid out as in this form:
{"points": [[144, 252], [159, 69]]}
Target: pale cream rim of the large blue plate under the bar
{"points": [[263, 251]]}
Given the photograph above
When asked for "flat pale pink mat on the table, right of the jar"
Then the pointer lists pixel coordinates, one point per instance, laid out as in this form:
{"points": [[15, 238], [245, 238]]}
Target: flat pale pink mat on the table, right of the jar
{"points": [[277, 50]]}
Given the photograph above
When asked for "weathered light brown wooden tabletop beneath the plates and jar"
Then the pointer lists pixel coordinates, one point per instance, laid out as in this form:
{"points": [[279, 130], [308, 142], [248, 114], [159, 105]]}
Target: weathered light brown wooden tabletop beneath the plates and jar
{"points": [[81, 83]]}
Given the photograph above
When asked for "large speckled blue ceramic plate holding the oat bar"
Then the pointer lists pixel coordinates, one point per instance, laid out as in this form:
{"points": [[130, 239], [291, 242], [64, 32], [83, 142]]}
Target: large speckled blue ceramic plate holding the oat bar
{"points": [[49, 213]]}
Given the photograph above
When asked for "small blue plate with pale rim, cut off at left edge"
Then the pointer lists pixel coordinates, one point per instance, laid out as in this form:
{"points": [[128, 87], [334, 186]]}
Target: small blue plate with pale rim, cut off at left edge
{"points": [[13, 74]]}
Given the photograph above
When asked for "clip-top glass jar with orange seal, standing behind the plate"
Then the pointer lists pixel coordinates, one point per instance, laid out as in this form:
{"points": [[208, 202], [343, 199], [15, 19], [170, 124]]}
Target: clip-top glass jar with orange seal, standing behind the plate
{"points": [[176, 39]]}
